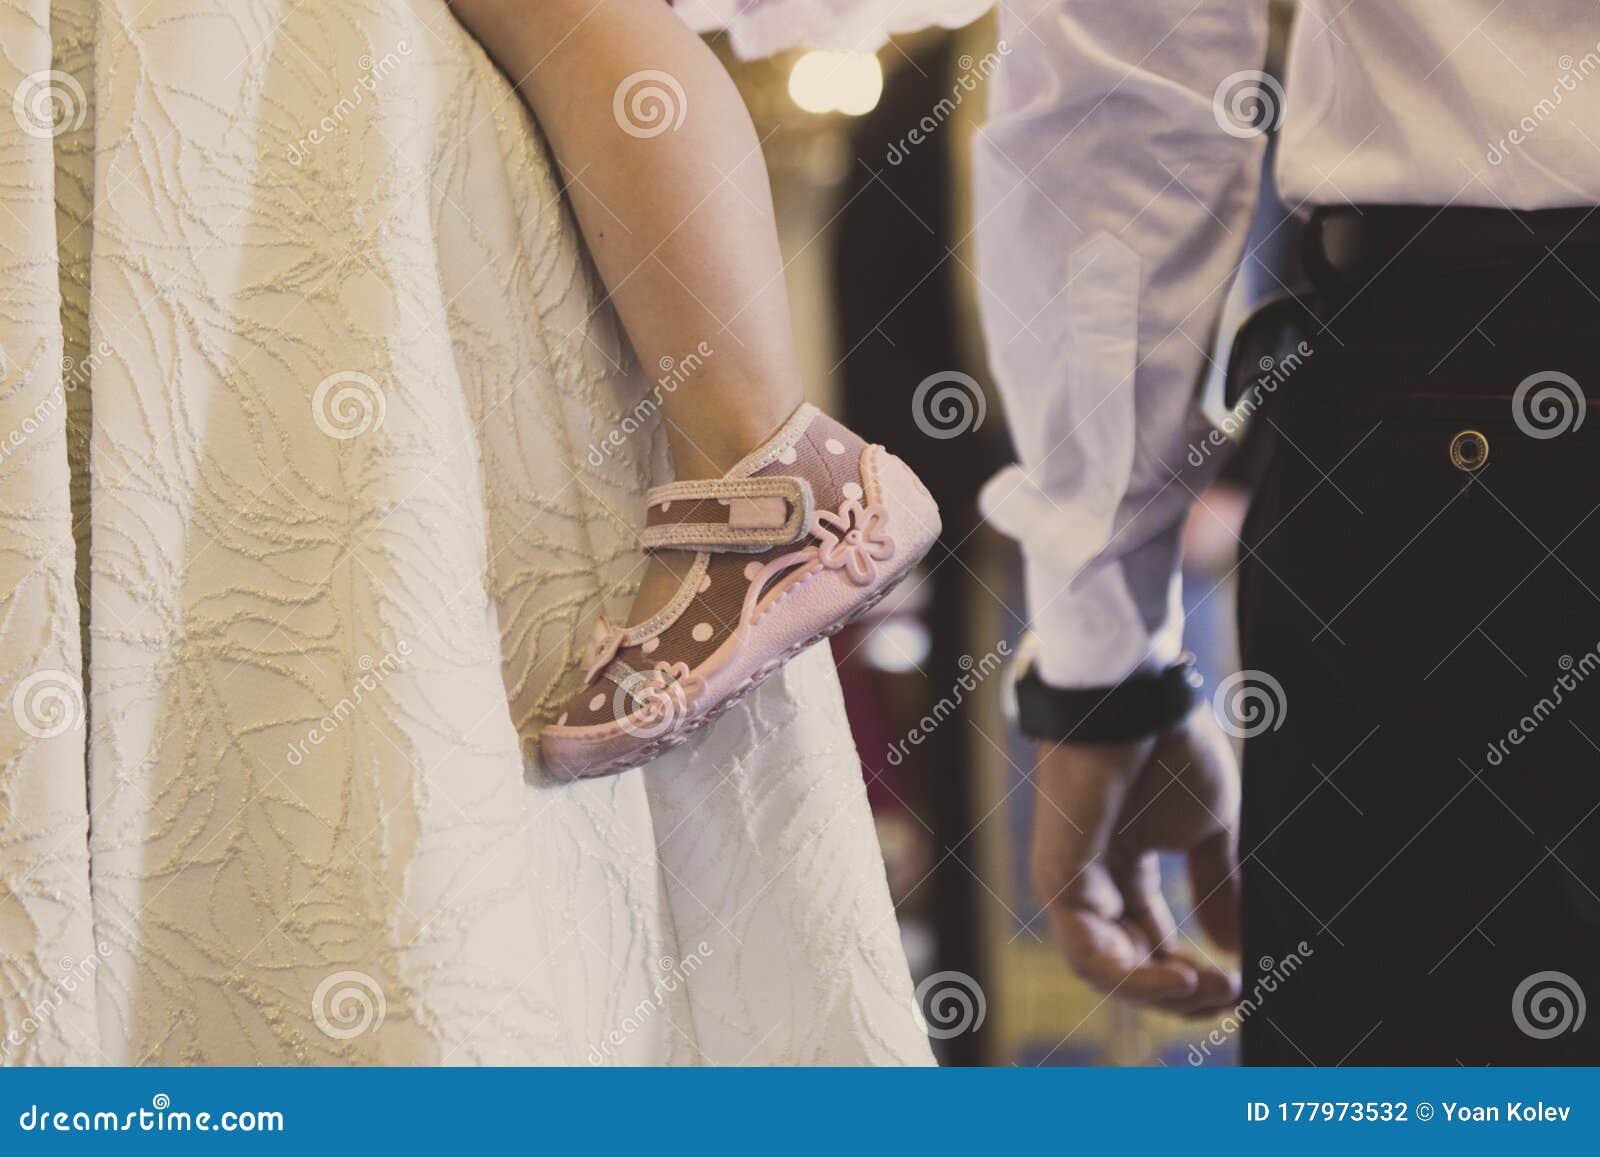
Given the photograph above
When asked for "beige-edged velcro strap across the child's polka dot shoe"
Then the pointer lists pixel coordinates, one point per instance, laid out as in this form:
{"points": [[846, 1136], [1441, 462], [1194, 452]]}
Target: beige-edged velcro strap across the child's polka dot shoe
{"points": [[729, 514]]}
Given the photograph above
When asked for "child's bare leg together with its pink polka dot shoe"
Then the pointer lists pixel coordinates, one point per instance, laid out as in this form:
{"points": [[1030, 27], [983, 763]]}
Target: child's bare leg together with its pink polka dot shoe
{"points": [[681, 225]]}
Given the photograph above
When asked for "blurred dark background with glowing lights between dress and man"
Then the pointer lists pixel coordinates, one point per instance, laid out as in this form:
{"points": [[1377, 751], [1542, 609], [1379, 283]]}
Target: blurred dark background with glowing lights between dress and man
{"points": [[879, 239]]}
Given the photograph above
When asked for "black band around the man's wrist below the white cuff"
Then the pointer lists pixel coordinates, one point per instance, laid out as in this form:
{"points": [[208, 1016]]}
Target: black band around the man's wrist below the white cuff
{"points": [[1137, 708]]}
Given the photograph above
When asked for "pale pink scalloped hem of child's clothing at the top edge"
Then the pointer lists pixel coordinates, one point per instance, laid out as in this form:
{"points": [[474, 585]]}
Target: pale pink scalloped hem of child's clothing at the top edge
{"points": [[761, 28]]}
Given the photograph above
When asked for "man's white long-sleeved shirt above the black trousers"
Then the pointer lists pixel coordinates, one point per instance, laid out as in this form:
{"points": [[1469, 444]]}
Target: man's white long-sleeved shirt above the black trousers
{"points": [[1114, 194]]}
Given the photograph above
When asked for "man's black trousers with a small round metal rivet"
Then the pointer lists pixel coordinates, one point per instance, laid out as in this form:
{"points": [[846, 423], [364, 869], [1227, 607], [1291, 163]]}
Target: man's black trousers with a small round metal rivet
{"points": [[1422, 817]]}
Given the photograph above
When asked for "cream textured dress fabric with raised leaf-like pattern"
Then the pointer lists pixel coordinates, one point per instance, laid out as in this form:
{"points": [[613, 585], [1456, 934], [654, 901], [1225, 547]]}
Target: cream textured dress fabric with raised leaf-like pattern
{"points": [[306, 428]]}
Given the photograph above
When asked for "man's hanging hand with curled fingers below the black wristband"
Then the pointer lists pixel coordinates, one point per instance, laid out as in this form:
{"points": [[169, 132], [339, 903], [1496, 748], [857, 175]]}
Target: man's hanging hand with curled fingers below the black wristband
{"points": [[1102, 817]]}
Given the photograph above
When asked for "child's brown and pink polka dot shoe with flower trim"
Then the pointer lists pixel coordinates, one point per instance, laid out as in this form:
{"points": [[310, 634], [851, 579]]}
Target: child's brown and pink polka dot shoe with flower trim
{"points": [[790, 546]]}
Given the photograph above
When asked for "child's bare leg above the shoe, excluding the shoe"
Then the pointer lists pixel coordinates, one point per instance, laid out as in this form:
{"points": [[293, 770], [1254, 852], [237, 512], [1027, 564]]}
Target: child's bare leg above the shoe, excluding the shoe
{"points": [[681, 223]]}
